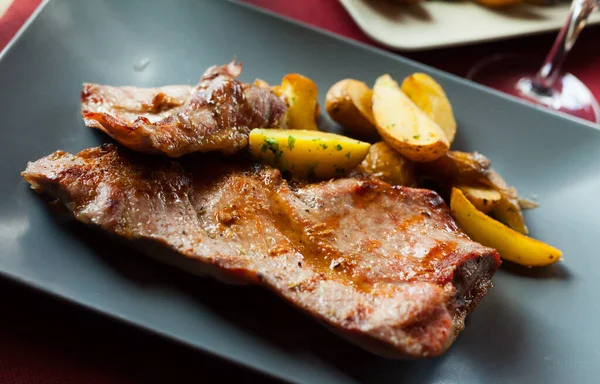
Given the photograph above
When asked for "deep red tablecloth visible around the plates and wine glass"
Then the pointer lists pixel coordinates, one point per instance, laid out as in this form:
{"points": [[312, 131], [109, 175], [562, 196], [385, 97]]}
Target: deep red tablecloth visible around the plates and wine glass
{"points": [[43, 340]]}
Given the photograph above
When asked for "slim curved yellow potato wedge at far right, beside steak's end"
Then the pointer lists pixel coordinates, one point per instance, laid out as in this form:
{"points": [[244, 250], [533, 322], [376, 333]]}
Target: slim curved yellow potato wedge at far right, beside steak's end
{"points": [[510, 244]]}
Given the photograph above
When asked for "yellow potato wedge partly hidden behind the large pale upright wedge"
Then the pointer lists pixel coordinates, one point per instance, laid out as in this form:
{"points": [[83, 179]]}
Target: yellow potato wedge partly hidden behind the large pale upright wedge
{"points": [[428, 95]]}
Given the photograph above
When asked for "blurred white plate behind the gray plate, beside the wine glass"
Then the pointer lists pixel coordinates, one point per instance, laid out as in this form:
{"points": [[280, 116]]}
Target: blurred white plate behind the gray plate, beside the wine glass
{"points": [[434, 24]]}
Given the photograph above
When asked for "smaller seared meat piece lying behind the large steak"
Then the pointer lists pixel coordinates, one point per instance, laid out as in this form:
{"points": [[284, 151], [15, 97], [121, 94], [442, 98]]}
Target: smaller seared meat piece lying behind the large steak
{"points": [[216, 115]]}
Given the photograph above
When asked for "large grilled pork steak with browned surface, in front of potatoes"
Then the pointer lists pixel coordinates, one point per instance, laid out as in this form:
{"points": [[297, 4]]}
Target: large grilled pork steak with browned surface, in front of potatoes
{"points": [[386, 267]]}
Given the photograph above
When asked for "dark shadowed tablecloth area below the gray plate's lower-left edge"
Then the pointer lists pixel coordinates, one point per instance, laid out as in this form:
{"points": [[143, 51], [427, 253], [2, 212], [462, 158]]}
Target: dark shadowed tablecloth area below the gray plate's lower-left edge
{"points": [[45, 340]]}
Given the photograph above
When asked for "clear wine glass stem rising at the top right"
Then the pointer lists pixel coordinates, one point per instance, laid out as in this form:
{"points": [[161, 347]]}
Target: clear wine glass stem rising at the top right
{"points": [[548, 73]]}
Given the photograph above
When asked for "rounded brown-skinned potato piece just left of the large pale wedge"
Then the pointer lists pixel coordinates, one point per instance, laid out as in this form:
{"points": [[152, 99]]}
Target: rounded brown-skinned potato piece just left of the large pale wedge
{"points": [[349, 103]]}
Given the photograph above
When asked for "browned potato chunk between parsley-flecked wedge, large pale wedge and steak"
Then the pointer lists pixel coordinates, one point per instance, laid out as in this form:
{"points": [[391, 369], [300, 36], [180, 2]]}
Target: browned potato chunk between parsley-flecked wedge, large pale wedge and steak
{"points": [[384, 162]]}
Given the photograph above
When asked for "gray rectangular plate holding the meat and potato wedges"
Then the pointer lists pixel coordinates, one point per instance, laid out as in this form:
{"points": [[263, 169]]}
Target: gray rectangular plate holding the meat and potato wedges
{"points": [[536, 326]]}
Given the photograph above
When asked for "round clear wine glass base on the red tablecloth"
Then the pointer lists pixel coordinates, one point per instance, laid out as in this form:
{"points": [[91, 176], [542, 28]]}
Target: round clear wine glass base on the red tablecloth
{"points": [[513, 74]]}
